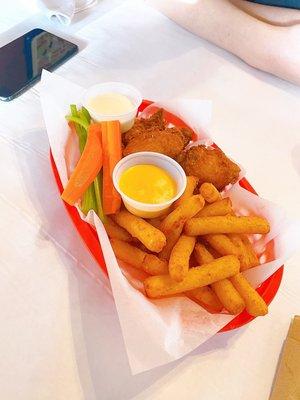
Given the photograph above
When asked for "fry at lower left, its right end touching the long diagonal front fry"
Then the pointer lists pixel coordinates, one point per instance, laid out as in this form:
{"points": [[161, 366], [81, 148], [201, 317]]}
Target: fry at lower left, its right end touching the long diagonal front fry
{"points": [[138, 258]]}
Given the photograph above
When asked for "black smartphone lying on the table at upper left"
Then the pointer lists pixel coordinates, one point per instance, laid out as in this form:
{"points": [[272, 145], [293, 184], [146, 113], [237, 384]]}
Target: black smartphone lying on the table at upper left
{"points": [[22, 61]]}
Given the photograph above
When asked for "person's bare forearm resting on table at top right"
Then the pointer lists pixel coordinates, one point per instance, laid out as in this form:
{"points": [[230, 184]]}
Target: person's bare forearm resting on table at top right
{"points": [[264, 46]]}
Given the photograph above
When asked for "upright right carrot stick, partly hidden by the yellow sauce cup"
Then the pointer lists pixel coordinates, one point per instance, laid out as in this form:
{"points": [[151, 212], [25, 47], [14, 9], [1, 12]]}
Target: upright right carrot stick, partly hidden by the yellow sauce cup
{"points": [[112, 153]]}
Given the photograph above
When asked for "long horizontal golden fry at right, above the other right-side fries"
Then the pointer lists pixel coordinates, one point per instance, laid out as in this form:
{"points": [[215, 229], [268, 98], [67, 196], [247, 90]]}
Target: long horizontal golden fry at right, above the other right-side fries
{"points": [[226, 224]]}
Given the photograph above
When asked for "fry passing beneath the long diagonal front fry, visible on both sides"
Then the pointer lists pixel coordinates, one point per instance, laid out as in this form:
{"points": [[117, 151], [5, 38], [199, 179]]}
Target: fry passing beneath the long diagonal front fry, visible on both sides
{"points": [[224, 289]]}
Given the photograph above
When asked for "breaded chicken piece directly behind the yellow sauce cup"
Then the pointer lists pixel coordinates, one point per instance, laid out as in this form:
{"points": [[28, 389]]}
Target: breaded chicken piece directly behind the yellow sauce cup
{"points": [[170, 142]]}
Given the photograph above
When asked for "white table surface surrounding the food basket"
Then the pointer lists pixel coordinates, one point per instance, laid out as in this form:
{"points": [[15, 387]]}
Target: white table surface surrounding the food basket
{"points": [[60, 337]]}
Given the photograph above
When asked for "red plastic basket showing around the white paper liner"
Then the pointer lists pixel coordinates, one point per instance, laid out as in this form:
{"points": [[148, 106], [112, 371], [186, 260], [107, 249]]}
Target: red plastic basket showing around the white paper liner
{"points": [[267, 289]]}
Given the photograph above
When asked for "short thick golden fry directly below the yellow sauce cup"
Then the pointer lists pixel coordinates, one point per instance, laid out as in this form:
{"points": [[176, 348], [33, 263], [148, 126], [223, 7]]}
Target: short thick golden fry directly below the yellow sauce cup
{"points": [[150, 236]]}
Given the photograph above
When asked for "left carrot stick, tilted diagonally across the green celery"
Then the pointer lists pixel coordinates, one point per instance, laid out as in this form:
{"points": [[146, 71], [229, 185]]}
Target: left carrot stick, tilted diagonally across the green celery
{"points": [[87, 168]]}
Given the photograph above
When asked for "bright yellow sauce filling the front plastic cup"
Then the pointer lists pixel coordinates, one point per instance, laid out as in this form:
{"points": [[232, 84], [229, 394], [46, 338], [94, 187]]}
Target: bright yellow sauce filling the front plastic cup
{"points": [[147, 184]]}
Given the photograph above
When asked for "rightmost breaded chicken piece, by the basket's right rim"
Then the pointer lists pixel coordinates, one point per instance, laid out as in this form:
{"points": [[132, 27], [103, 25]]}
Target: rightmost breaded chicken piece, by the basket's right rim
{"points": [[209, 165]]}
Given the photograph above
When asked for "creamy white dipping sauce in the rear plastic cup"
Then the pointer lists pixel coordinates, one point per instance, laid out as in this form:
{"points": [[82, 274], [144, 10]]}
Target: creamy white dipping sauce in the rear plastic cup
{"points": [[110, 104]]}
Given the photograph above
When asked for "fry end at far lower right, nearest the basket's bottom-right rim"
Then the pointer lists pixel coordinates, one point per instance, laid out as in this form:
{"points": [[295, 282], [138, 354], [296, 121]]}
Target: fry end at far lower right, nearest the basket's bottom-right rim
{"points": [[255, 304]]}
